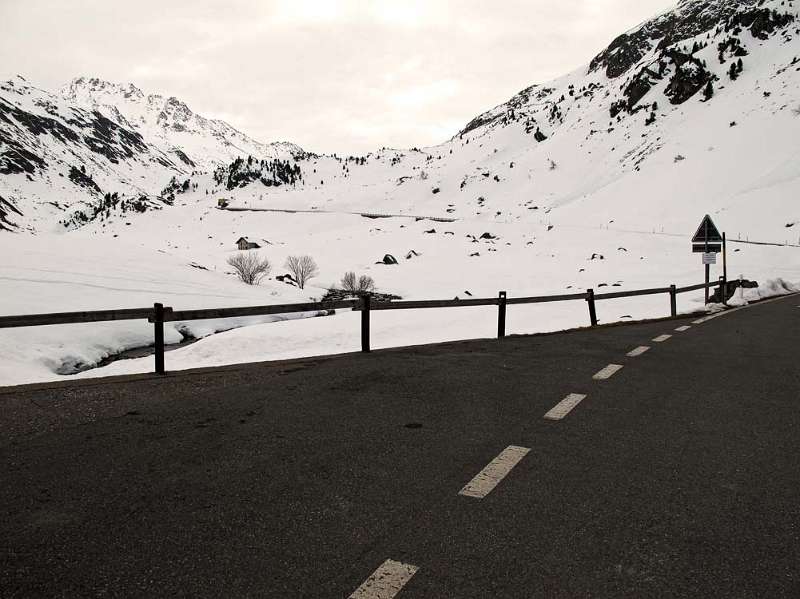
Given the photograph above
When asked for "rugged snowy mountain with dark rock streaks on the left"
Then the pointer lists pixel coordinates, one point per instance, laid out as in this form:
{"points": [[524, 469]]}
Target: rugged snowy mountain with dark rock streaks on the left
{"points": [[63, 154]]}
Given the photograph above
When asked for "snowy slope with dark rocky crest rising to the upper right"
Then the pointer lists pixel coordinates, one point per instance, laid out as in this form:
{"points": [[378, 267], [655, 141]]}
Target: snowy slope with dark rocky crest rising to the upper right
{"points": [[695, 110]]}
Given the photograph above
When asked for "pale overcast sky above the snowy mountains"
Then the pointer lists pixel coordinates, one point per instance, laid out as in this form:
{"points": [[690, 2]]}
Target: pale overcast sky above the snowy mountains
{"points": [[345, 76]]}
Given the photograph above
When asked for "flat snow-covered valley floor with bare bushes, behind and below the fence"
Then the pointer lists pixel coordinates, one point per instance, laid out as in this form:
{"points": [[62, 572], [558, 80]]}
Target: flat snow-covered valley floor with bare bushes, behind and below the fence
{"points": [[178, 257]]}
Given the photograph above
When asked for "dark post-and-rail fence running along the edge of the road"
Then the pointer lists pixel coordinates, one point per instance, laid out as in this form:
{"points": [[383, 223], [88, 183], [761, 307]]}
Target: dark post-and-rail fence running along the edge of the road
{"points": [[159, 314]]}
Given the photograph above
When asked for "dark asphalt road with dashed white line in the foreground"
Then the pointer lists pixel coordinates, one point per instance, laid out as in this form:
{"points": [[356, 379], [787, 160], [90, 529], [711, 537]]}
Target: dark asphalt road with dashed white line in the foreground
{"points": [[569, 465]]}
